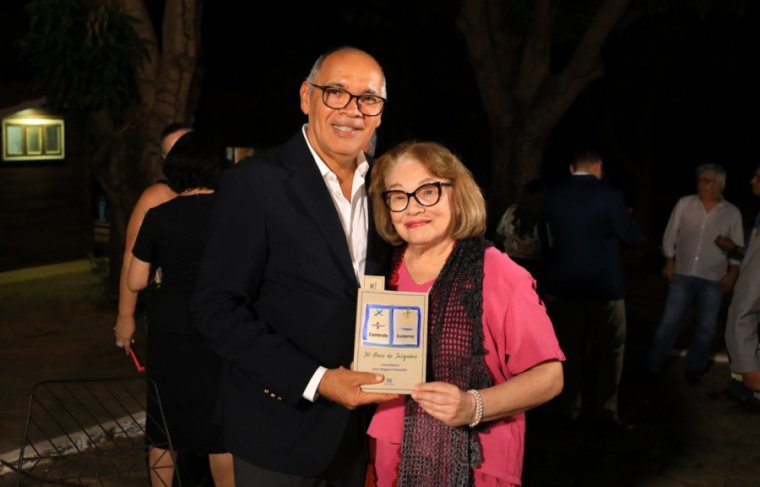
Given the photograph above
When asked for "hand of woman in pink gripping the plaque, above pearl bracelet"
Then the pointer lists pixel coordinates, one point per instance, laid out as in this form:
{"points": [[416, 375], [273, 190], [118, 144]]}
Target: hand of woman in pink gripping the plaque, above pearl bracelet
{"points": [[445, 402]]}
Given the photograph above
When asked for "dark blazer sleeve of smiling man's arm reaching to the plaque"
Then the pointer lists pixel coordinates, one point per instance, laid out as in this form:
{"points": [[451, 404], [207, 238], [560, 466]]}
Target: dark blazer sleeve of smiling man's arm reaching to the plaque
{"points": [[229, 281]]}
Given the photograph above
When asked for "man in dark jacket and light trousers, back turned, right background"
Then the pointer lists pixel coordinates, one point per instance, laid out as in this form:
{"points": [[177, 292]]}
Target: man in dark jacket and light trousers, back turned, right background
{"points": [[587, 219]]}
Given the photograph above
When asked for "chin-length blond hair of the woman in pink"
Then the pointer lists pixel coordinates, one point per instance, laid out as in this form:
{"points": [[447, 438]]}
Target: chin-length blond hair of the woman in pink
{"points": [[468, 205]]}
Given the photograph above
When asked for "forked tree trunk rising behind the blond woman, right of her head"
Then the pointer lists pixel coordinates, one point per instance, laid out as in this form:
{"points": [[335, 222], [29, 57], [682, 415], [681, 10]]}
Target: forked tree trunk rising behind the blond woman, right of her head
{"points": [[522, 97]]}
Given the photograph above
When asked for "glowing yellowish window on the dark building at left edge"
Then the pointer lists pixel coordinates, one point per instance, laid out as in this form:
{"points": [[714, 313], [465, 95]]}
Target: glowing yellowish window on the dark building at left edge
{"points": [[31, 135]]}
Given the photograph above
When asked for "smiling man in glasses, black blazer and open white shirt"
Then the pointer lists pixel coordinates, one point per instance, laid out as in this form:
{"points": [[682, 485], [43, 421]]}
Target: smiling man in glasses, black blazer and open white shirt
{"points": [[291, 237]]}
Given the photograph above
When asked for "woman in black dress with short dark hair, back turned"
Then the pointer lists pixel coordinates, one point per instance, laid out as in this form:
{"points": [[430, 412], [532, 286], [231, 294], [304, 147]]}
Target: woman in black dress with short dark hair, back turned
{"points": [[179, 362]]}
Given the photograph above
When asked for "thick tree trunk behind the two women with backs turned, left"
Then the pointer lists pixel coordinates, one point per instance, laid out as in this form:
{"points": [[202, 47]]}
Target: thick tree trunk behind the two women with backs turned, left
{"points": [[126, 158]]}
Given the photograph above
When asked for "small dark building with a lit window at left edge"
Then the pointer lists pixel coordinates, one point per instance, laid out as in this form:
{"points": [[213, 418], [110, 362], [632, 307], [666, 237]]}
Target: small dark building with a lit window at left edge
{"points": [[47, 212]]}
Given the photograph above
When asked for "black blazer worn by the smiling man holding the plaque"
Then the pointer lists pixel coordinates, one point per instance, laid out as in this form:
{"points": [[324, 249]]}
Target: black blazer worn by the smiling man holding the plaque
{"points": [[276, 298]]}
